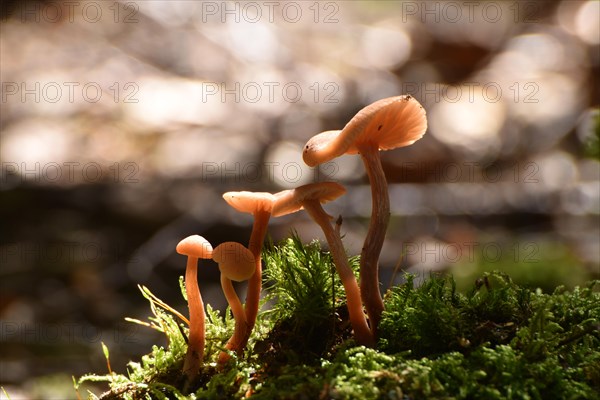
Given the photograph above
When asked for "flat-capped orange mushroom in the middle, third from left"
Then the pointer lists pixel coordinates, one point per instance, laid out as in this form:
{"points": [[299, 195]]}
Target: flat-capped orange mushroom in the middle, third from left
{"points": [[259, 205]]}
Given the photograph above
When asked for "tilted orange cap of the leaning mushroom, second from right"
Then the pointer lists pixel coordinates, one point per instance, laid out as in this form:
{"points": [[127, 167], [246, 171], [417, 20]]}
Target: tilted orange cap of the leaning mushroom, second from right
{"points": [[290, 201]]}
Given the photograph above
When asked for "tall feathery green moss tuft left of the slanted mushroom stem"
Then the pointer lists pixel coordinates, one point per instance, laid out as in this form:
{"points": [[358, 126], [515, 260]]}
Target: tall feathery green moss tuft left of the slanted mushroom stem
{"points": [[308, 315]]}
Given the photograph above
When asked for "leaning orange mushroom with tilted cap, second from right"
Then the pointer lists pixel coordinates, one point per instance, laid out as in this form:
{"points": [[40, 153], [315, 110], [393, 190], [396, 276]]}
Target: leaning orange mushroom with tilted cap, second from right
{"points": [[310, 198]]}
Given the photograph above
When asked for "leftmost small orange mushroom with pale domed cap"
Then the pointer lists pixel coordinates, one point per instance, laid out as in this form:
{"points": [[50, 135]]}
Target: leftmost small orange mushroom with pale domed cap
{"points": [[194, 247]]}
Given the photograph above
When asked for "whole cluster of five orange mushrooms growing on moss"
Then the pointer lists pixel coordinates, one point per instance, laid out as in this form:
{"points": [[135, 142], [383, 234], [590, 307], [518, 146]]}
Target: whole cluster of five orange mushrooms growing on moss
{"points": [[384, 125]]}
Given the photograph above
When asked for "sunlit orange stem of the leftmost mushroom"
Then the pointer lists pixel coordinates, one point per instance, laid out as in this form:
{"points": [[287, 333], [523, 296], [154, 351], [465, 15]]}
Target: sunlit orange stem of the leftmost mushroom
{"points": [[195, 351]]}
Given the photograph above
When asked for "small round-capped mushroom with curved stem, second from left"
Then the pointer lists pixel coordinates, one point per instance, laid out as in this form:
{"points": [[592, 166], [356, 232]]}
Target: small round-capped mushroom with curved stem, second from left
{"points": [[236, 263]]}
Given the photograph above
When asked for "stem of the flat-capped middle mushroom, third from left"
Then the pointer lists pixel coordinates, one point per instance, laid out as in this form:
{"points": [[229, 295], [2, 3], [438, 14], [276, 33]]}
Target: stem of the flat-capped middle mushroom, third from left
{"points": [[259, 231]]}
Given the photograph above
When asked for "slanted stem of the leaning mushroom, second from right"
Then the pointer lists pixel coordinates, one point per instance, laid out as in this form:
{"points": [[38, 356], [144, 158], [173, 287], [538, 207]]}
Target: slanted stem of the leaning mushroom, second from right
{"points": [[362, 333]]}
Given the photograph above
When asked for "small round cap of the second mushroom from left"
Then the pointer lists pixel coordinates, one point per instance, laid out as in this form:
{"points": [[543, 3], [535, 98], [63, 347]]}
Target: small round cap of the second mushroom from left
{"points": [[235, 261]]}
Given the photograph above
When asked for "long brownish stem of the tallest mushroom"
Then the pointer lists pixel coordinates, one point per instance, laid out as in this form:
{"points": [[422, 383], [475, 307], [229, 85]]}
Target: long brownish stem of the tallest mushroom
{"points": [[380, 217]]}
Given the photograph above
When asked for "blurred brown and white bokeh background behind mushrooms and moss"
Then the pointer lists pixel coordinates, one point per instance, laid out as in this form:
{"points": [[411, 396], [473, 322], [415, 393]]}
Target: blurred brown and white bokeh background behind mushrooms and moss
{"points": [[122, 123]]}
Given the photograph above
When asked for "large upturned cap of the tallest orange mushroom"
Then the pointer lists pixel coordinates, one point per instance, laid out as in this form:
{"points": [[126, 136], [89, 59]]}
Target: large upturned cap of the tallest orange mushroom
{"points": [[388, 123]]}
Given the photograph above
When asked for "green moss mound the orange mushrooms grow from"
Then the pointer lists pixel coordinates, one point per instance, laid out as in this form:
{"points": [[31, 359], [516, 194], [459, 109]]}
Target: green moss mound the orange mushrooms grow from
{"points": [[497, 340]]}
